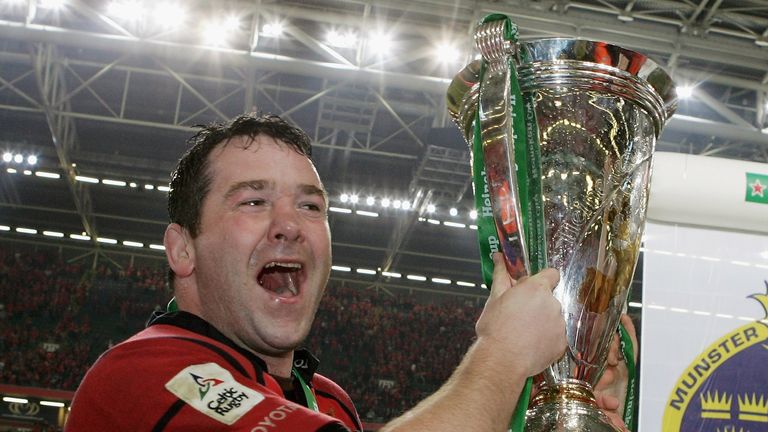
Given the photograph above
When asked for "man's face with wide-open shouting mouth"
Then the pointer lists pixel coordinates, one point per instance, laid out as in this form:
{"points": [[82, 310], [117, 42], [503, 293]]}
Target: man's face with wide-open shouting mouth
{"points": [[263, 252]]}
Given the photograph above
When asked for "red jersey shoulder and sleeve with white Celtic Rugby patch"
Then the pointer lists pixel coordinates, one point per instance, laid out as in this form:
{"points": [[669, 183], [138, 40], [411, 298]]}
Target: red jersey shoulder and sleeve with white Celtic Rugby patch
{"points": [[168, 380]]}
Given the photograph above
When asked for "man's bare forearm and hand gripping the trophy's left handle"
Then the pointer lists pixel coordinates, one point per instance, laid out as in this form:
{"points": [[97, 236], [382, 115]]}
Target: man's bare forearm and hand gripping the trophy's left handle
{"points": [[520, 332]]}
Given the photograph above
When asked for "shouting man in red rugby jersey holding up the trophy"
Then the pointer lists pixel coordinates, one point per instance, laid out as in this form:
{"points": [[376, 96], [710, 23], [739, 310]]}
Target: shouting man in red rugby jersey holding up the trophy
{"points": [[250, 253]]}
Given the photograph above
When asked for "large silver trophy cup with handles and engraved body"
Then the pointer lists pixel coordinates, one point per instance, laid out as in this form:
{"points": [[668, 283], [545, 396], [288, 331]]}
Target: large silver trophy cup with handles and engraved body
{"points": [[599, 109]]}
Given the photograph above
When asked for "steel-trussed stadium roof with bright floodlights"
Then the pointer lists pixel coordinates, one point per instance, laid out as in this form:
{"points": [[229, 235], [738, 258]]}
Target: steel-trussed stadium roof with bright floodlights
{"points": [[101, 91]]}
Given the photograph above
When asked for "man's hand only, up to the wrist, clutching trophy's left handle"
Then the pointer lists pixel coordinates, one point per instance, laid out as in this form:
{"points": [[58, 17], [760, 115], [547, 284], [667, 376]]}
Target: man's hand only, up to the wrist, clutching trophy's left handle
{"points": [[522, 320]]}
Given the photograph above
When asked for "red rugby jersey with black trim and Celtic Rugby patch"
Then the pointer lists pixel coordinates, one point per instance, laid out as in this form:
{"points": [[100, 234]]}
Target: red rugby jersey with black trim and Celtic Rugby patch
{"points": [[181, 373]]}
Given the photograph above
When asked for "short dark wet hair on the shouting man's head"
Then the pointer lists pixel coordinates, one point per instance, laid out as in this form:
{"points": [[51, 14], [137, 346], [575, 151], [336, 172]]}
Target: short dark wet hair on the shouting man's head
{"points": [[191, 180]]}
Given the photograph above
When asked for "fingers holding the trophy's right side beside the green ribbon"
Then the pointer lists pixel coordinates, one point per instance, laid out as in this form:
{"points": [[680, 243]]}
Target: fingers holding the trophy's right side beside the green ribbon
{"points": [[611, 390]]}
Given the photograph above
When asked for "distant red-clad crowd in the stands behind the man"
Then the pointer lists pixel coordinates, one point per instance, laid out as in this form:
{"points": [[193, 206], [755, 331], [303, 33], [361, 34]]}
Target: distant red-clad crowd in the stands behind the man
{"points": [[389, 351]]}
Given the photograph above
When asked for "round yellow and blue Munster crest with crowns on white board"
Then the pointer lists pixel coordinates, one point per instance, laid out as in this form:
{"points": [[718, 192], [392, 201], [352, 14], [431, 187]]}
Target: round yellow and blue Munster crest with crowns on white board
{"points": [[725, 389]]}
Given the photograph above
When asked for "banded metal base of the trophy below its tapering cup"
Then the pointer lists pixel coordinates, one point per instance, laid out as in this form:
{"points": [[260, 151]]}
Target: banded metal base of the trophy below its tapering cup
{"points": [[567, 407]]}
